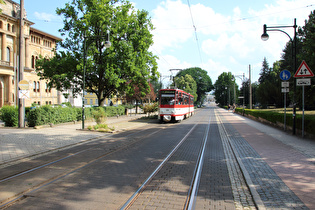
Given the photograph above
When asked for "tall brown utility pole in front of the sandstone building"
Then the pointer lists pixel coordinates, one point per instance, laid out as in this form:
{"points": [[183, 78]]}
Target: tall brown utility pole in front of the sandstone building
{"points": [[21, 64]]}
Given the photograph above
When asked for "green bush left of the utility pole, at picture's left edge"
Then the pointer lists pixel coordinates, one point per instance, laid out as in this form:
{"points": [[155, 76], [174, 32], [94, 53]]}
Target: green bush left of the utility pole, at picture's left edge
{"points": [[9, 115]]}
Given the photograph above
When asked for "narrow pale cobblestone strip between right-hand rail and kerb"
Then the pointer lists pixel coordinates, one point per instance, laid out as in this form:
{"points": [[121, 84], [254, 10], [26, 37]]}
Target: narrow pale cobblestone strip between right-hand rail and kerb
{"points": [[242, 196]]}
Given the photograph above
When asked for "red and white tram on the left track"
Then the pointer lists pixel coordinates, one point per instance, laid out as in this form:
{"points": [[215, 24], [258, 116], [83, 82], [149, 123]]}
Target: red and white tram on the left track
{"points": [[175, 105]]}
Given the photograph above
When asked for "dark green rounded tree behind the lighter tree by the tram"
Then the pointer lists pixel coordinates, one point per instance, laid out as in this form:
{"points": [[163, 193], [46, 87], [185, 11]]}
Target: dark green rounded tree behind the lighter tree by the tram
{"points": [[202, 79]]}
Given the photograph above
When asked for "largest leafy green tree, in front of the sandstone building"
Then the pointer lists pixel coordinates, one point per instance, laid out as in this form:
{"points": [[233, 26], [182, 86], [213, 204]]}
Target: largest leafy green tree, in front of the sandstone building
{"points": [[116, 69]]}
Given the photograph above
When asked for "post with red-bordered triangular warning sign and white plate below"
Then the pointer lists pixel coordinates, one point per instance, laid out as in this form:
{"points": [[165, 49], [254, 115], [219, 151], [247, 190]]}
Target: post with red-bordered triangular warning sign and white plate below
{"points": [[303, 71]]}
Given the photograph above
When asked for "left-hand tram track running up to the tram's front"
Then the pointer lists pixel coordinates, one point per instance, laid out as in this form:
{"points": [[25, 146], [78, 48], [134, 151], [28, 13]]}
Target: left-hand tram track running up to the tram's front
{"points": [[115, 145]]}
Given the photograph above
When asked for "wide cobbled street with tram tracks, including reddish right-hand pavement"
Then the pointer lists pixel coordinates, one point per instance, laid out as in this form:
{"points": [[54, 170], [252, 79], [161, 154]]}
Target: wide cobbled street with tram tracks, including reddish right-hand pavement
{"points": [[209, 161]]}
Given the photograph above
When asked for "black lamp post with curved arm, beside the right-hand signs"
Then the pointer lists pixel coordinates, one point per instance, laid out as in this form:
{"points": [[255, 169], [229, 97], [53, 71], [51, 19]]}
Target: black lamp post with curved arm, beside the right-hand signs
{"points": [[265, 37]]}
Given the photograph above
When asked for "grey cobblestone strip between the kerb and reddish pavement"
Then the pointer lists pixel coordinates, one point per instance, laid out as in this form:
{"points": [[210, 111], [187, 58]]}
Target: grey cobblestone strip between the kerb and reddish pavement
{"points": [[274, 193]]}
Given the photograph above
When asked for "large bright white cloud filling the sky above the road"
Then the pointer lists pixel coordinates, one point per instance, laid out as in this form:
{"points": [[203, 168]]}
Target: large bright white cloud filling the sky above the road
{"points": [[227, 42]]}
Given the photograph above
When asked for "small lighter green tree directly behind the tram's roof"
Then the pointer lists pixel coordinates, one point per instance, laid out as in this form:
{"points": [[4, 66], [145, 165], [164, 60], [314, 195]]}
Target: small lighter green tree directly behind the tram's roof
{"points": [[188, 84]]}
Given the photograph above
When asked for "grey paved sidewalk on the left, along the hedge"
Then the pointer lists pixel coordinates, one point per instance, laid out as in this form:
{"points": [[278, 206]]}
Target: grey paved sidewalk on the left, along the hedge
{"points": [[18, 143]]}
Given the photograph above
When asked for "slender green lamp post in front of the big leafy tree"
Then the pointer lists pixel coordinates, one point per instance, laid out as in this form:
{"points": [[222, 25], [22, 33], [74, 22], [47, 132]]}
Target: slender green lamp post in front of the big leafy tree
{"points": [[106, 45]]}
